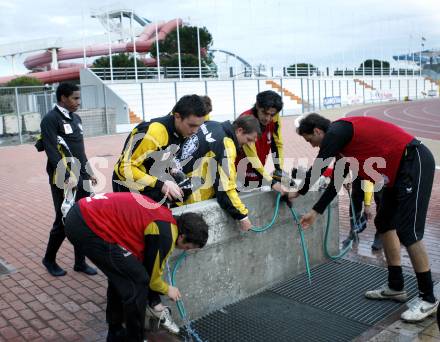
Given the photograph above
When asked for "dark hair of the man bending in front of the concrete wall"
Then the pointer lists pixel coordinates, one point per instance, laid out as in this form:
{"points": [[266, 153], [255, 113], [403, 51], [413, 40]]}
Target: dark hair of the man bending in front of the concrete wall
{"points": [[193, 227]]}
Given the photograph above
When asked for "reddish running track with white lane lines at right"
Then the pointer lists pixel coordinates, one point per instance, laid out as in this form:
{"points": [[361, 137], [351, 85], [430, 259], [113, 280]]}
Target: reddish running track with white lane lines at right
{"points": [[420, 118]]}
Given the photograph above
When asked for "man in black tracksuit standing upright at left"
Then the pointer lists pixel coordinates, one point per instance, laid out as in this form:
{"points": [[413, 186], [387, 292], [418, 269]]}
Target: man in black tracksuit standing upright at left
{"points": [[62, 139]]}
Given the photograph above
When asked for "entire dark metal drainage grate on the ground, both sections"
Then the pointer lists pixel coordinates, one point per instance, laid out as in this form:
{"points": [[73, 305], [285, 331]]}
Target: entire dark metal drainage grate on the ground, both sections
{"points": [[332, 308]]}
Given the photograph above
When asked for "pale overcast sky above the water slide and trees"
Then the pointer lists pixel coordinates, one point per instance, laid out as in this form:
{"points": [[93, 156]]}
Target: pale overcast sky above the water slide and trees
{"points": [[271, 32]]}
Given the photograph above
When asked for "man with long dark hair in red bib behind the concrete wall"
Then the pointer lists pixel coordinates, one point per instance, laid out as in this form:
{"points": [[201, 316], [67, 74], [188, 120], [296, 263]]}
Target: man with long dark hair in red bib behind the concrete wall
{"points": [[251, 169]]}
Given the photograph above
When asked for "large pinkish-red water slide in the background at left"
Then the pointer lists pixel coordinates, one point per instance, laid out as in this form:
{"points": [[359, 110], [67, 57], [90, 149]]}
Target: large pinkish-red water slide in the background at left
{"points": [[68, 71]]}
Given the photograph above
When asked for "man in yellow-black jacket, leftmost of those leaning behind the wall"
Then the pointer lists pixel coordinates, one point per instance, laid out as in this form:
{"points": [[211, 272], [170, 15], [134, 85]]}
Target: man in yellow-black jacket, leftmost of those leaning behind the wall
{"points": [[149, 148]]}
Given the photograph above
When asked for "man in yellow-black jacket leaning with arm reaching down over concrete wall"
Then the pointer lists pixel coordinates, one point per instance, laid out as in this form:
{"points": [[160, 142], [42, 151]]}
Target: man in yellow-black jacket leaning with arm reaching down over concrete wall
{"points": [[210, 155]]}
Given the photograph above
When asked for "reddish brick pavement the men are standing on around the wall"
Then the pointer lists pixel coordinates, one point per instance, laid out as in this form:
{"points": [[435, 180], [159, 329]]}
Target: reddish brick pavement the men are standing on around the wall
{"points": [[37, 307]]}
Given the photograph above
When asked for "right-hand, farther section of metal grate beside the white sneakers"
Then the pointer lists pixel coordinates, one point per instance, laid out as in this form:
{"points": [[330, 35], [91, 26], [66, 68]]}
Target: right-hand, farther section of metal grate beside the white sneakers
{"points": [[340, 287]]}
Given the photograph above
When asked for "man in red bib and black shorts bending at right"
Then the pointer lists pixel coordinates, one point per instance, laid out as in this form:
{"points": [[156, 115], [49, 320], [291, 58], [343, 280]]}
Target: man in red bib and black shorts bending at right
{"points": [[386, 155]]}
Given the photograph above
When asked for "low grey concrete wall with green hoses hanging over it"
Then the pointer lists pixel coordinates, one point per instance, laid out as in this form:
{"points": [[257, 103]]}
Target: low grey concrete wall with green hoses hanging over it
{"points": [[234, 265]]}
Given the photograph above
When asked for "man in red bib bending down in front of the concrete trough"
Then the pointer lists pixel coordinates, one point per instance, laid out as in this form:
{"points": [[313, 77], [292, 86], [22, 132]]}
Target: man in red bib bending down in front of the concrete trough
{"points": [[130, 237]]}
